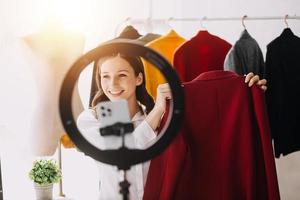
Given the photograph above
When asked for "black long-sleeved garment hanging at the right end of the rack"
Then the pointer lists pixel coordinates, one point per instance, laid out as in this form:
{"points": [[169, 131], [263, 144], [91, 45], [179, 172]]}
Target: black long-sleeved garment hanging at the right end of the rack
{"points": [[283, 93]]}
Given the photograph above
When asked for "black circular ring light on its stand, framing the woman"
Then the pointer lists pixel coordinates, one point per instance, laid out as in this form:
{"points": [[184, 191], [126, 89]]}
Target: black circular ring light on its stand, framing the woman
{"points": [[123, 157]]}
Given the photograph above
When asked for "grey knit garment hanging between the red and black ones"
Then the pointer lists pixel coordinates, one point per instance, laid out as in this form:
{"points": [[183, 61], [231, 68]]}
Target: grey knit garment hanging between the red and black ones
{"points": [[245, 56]]}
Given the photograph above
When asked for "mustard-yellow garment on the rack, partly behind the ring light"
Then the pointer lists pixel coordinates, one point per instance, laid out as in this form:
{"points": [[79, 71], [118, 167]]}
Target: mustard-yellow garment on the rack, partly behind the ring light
{"points": [[166, 46]]}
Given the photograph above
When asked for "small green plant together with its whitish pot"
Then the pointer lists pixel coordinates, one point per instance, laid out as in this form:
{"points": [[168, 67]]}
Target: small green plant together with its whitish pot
{"points": [[44, 174]]}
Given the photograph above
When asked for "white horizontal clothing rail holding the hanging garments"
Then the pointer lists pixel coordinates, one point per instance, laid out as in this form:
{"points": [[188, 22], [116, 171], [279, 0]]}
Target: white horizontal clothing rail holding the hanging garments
{"points": [[148, 21]]}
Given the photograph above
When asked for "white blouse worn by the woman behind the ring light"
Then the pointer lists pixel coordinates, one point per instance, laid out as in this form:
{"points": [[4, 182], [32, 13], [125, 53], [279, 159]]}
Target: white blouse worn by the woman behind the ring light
{"points": [[109, 176]]}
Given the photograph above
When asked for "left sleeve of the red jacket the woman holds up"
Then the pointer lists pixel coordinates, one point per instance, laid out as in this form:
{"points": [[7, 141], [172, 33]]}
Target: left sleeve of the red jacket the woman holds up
{"points": [[166, 170]]}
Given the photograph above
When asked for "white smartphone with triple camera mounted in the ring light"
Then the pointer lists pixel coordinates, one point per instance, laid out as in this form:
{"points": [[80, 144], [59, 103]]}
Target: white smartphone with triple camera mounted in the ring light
{"points": [[113, 112]]}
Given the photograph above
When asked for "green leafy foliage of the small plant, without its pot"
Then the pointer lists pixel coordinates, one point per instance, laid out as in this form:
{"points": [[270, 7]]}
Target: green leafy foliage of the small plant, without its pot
{"points": [[45, 172]]}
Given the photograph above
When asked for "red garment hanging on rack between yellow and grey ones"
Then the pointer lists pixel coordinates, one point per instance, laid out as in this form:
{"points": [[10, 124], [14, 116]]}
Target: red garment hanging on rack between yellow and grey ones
{"points": [[202, 53]]}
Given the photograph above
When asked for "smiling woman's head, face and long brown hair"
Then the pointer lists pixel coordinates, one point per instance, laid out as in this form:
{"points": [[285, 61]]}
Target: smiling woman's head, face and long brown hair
{"points": [[118, 77]]}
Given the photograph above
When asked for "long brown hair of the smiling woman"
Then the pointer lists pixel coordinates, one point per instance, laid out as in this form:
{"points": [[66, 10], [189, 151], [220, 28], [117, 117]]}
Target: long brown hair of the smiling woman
{"points": [[141, 92]]}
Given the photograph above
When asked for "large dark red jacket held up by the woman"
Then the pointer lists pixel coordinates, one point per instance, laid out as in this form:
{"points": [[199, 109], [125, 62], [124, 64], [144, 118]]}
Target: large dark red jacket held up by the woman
{"points": [[223, 150]]}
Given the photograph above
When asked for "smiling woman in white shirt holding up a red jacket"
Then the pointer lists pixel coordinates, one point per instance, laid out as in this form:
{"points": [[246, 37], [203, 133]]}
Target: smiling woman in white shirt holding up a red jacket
{"points": [[122, 77]]}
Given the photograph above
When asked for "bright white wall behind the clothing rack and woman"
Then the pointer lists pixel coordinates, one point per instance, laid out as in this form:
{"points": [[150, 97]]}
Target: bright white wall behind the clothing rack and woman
{"points": [[98, 21]]}
